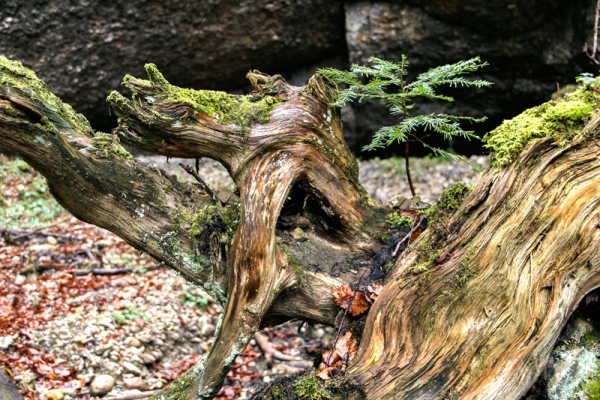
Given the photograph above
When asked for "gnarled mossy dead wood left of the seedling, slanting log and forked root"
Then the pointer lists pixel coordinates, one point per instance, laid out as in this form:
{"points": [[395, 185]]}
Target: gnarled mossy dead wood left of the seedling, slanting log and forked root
{"points": [[293, 163]]}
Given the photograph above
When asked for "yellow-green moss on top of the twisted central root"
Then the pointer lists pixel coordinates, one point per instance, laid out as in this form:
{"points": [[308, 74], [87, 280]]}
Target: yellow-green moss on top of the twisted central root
{"points": [[243, 111]]}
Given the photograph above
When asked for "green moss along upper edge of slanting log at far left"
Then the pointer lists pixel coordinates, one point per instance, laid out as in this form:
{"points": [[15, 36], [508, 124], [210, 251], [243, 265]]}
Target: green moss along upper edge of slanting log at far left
{"points": [[14, 75]]}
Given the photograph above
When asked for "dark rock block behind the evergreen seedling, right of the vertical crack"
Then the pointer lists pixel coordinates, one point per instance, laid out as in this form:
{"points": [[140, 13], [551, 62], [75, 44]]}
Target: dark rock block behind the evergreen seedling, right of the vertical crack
{"points": [[531, 45]]}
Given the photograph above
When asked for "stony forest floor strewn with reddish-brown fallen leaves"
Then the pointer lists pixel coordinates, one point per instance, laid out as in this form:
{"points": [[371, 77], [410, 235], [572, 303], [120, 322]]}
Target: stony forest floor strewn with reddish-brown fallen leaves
{"points": [[83, 312]]}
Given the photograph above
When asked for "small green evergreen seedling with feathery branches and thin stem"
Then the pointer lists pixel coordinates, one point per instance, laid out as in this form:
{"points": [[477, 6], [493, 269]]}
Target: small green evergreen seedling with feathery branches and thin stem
{"points": [[385, 82]]}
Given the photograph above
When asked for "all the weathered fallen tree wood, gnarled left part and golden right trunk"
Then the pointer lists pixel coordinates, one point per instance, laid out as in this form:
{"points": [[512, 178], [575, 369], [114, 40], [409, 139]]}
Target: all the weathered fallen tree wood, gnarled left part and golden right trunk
{"points": [[471, 310]]}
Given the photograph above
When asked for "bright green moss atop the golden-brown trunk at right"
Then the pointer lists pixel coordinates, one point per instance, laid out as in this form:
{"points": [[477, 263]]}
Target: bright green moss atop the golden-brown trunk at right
{"points": [[561, 119]]}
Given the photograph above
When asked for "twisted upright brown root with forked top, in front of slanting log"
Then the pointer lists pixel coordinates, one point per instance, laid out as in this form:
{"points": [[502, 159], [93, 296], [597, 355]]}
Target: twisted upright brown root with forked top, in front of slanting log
{"points": [[301, 144]]}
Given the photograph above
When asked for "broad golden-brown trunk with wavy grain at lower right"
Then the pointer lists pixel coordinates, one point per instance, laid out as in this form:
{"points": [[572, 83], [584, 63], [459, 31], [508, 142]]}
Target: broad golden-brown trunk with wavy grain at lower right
{"points": [[529, 236]]}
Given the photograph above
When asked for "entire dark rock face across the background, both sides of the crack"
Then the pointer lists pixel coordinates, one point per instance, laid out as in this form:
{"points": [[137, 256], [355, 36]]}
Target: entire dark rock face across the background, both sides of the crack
{"points": [[82, 49]]}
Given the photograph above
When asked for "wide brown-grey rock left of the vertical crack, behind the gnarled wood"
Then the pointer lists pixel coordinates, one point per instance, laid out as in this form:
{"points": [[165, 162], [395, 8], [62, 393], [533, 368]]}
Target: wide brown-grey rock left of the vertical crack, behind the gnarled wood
{"points": [[82, 49]]}
